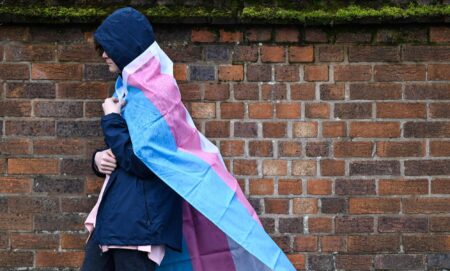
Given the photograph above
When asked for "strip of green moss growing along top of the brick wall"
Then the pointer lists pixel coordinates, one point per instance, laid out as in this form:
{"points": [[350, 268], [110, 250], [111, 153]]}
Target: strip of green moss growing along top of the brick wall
{"points": [[249, 14]]}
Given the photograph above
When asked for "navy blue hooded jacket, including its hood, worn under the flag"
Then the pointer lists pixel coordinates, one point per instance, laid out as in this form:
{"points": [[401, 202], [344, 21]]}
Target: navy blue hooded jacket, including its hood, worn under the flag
{"points": [[137, 207]]}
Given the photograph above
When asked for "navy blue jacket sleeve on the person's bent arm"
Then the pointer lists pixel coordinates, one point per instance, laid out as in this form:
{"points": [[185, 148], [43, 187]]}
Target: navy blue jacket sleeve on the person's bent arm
{"points": [[117, 137]]}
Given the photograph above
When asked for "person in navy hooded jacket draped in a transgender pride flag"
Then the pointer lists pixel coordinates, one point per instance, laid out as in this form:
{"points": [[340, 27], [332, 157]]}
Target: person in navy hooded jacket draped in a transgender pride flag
{"points": [[181, 200]]}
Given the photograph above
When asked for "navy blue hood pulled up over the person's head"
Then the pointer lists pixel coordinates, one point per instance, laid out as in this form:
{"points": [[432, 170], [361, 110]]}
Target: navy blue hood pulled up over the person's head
{"points": [[124, 35]]}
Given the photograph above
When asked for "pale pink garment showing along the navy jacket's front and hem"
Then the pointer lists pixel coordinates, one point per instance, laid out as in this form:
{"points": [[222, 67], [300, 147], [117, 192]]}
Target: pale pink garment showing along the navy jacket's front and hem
{"points": [[155, 253]]}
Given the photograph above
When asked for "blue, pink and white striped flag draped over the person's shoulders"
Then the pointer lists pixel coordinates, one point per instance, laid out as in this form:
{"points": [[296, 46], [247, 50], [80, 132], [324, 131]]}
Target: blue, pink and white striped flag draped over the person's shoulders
{"points": [[221, 231]]}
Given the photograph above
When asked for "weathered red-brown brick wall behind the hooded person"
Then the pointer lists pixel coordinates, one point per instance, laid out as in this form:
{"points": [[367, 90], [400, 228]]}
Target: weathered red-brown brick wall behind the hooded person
{"points": [[339, 136]]}
